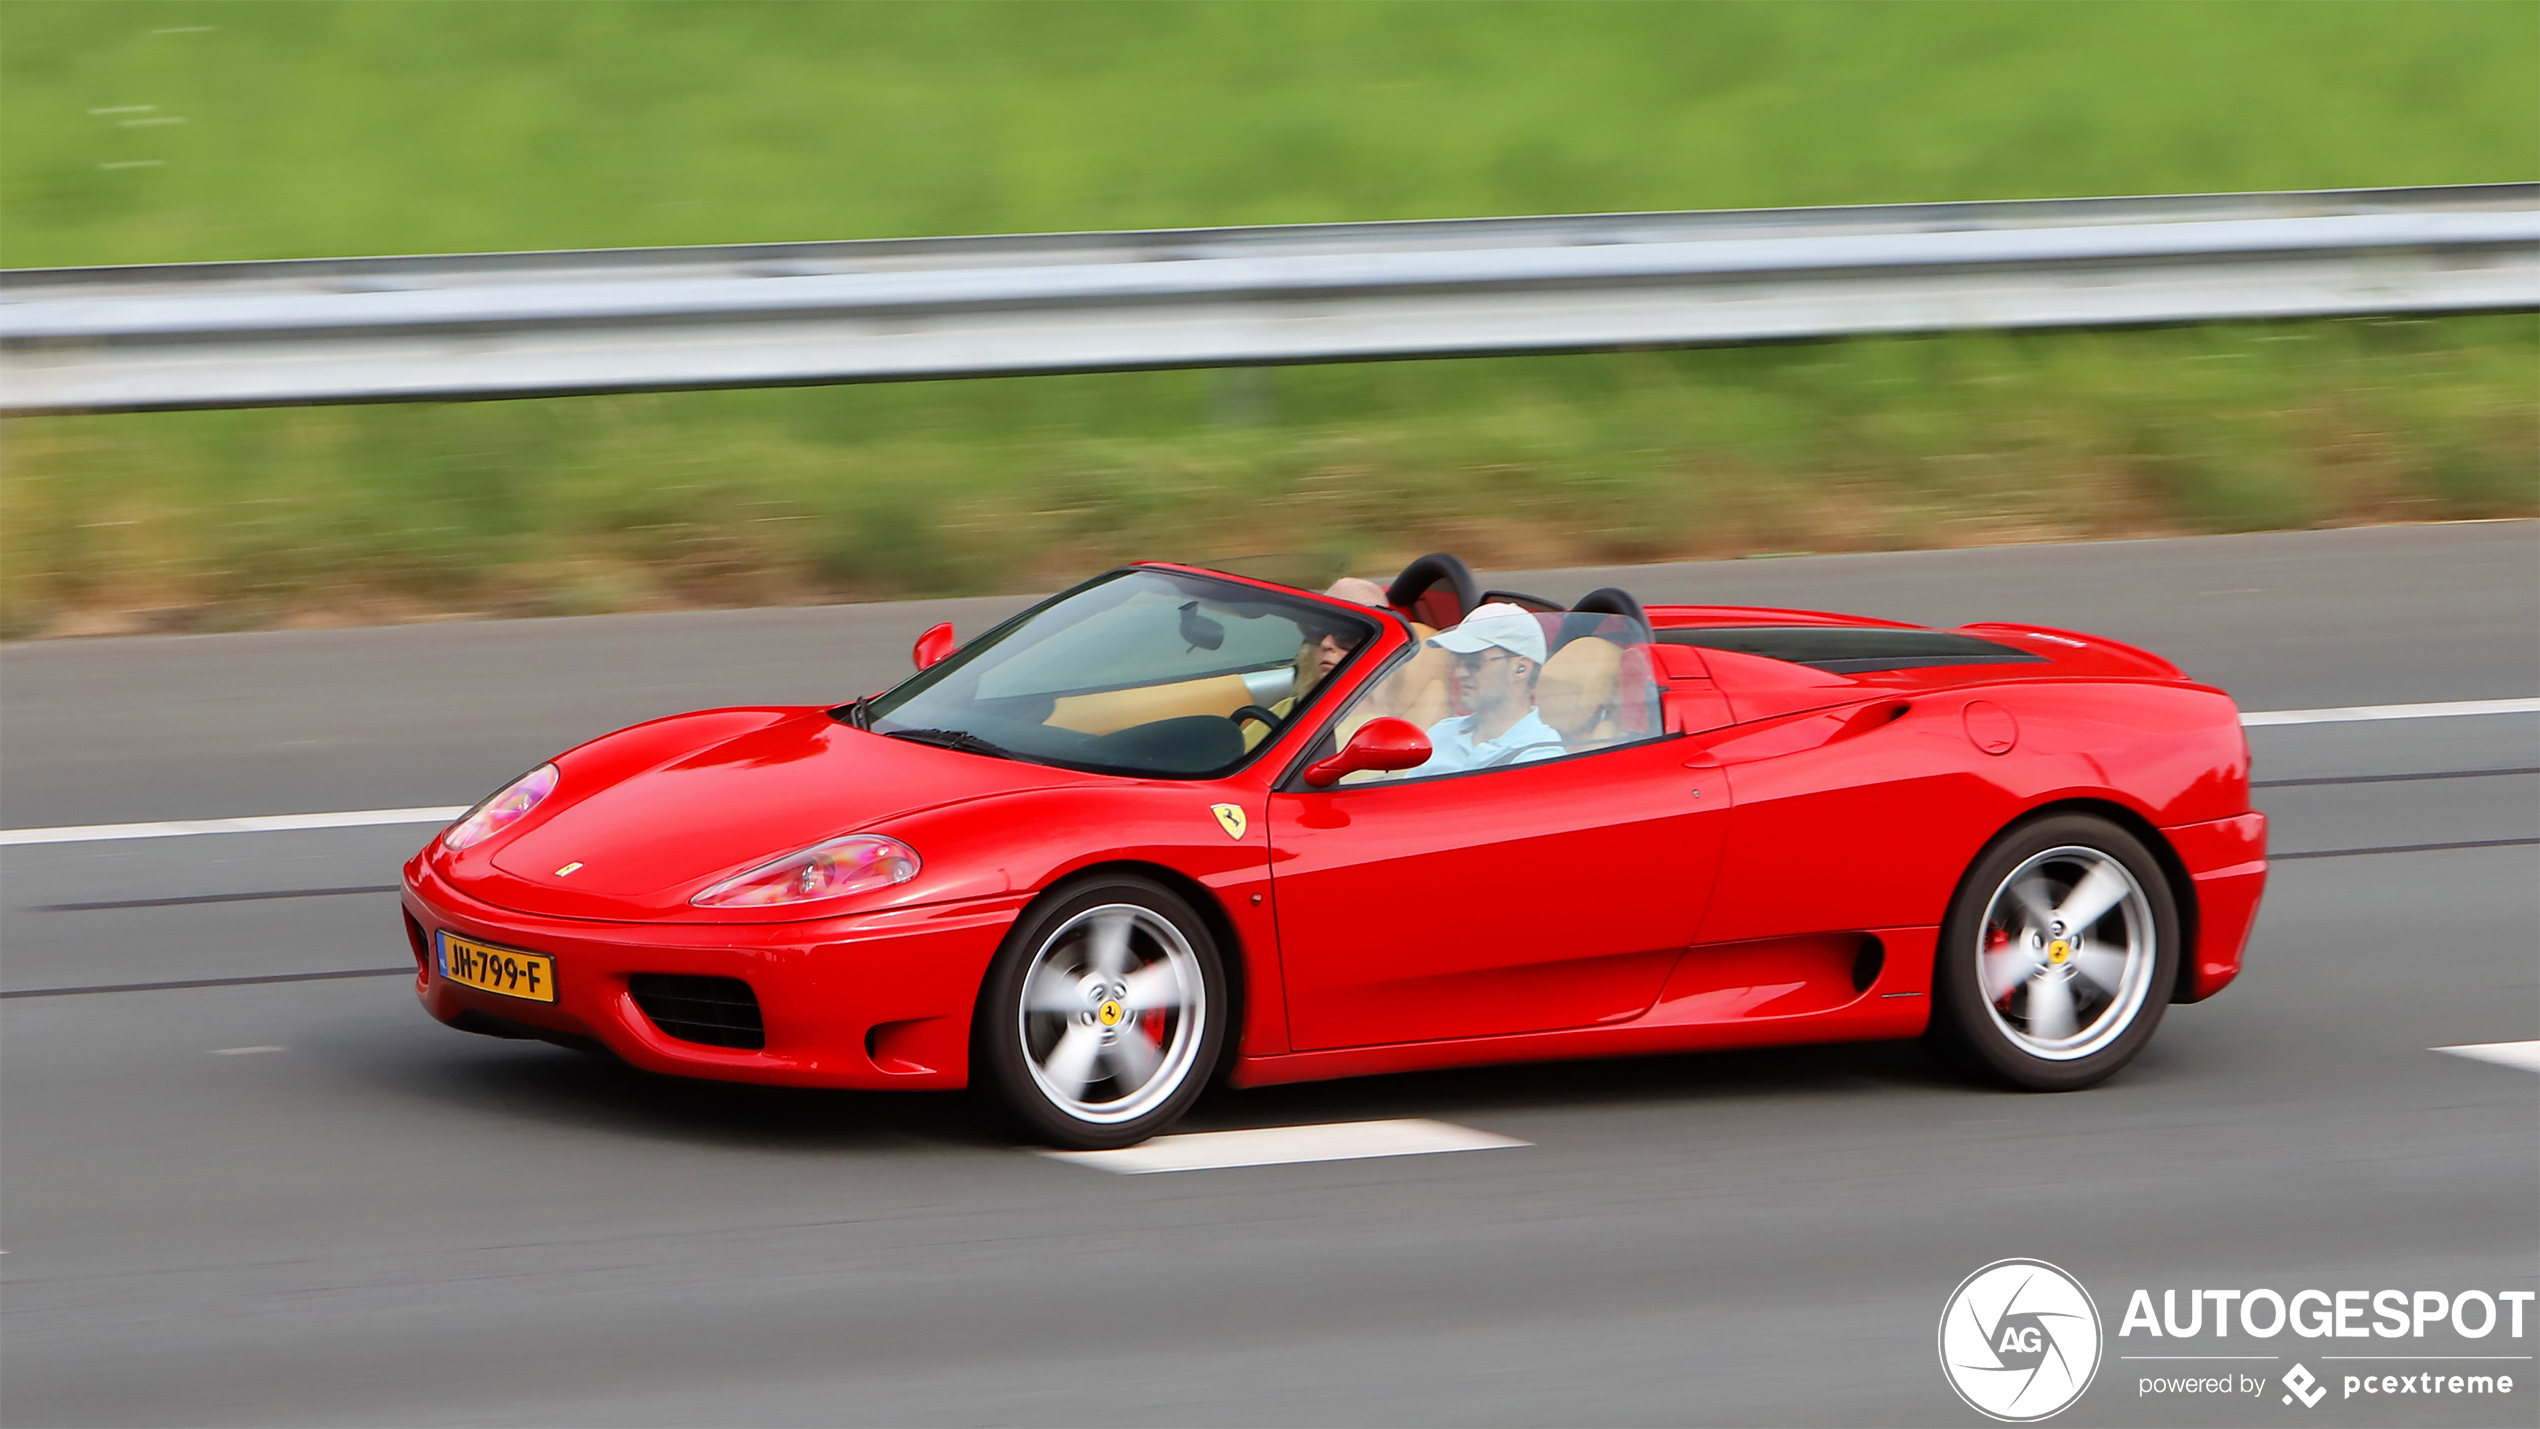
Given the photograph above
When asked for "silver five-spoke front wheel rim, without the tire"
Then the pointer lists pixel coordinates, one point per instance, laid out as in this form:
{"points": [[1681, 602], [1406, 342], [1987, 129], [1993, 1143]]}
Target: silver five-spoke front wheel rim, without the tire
{"points": [[1111, 1014]]}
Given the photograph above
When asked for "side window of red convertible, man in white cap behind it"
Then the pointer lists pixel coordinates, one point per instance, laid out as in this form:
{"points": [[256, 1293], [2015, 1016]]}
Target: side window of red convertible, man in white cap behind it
{"points": [[1500, 707]]}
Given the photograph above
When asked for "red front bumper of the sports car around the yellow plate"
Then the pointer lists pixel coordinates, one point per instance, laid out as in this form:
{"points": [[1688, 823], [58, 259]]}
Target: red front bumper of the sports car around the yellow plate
{"points": [[855, 1001]]}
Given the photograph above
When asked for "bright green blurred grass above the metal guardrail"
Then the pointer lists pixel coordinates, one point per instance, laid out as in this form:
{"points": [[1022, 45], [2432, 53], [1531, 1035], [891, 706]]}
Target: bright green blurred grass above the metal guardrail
{"points": [[357, 128]]}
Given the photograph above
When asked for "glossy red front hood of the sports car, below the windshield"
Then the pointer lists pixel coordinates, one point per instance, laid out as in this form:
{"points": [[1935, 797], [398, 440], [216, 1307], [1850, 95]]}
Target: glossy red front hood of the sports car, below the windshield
{"points": [[644, 844]]}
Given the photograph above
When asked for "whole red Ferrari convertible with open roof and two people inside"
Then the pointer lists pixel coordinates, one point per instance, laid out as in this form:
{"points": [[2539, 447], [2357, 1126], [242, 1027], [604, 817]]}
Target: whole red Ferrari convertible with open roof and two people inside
{"points": [[1180, 826]]}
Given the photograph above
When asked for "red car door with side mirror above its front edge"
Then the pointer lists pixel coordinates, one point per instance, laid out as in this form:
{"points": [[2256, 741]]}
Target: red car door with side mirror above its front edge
{"points": [[1515, 900]]}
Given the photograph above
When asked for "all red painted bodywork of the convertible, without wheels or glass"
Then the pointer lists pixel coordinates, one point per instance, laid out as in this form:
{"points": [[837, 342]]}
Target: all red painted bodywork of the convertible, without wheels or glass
{"points": [[1695, 892]]}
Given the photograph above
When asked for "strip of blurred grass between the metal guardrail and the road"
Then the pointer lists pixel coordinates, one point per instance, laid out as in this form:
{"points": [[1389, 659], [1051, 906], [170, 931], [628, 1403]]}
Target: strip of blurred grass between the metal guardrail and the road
{"points": [[784, 496]]}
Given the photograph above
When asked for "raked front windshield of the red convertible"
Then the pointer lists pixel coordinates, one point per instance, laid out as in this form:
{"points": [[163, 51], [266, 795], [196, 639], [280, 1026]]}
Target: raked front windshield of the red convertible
{"points": [[1137, 674]]}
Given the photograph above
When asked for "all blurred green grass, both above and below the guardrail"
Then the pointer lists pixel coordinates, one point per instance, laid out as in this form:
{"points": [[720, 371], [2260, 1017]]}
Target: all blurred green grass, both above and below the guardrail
{"points": [[245, 131]]}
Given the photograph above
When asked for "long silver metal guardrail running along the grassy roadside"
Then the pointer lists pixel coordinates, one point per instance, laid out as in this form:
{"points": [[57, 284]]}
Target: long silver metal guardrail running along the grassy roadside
{"points": [[491, 326]]}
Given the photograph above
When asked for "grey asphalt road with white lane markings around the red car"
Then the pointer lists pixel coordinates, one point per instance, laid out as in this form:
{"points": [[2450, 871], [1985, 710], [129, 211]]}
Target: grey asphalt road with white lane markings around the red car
{"points": [[372, 1220]]}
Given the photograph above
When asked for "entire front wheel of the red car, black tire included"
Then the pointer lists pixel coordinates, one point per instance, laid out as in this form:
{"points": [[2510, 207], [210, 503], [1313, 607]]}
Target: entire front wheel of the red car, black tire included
{"points": [[1167, 999]]}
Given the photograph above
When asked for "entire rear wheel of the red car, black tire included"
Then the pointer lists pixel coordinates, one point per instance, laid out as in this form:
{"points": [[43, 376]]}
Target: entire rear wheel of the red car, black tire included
{"points": [[2023, 999]]}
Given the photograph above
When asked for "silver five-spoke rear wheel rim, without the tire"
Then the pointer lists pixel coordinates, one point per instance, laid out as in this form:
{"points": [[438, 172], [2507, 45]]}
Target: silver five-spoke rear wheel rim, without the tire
{"points": [[2066, 953]]}
